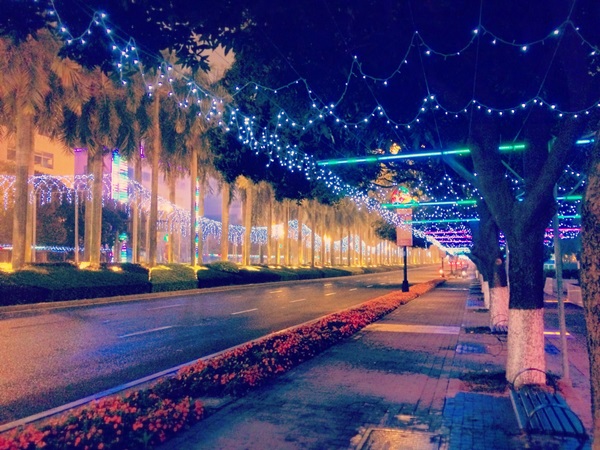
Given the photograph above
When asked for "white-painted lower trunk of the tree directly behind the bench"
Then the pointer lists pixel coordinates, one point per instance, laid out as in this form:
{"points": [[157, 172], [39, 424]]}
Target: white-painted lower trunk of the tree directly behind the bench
{"points": [[526, 361]]}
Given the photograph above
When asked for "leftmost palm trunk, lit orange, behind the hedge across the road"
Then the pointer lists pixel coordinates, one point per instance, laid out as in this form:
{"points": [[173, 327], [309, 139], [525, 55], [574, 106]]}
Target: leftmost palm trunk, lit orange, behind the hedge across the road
{"points": [[24, 151]]}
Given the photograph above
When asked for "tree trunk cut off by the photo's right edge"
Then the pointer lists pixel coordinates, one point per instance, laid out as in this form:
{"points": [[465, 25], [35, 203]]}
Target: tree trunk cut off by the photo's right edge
{"points": [[590, 280]]}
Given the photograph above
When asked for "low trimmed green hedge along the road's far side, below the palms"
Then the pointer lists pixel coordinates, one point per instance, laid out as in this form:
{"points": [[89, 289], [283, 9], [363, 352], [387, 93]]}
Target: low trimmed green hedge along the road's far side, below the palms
{"points": [[49, 282]]}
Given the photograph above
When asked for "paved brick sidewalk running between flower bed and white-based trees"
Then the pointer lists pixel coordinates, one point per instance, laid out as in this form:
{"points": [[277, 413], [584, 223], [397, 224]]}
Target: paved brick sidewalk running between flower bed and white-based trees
{"points": [[424, 377]]}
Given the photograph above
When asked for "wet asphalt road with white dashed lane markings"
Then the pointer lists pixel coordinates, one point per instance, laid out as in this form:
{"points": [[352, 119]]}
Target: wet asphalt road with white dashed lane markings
{"points": [[50, 357]]}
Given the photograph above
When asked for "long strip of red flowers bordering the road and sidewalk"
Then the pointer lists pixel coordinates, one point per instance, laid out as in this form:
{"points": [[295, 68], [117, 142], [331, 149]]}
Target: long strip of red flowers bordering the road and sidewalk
{"points": [[148, 417]]}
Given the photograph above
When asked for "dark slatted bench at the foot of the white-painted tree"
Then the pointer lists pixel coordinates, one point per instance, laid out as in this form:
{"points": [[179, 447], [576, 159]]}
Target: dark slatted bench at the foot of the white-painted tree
{"points": [[541, 410]]}
